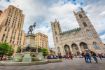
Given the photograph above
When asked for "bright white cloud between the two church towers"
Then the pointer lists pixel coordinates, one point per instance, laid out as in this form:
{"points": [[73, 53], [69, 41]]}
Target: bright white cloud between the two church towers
{"points": [[64, 13]]}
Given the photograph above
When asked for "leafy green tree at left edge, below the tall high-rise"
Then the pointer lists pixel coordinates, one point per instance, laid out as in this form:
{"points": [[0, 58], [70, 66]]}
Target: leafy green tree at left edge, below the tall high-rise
{"points": [[5, 49]]}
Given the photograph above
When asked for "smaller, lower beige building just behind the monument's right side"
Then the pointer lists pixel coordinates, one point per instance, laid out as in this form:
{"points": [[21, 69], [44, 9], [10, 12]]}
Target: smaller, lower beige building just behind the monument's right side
{"points": [[41, 40]]}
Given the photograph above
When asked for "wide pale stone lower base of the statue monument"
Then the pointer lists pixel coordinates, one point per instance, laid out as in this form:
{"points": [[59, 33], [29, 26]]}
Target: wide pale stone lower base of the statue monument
{"points": [[28, 57]]}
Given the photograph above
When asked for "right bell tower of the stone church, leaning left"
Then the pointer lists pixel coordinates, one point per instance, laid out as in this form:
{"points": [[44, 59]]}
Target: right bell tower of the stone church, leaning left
{"points": [[85, 24]]}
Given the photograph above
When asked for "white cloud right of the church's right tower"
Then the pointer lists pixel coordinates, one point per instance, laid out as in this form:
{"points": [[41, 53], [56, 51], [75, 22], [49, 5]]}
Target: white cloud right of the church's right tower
{"points": [[96, 15]]}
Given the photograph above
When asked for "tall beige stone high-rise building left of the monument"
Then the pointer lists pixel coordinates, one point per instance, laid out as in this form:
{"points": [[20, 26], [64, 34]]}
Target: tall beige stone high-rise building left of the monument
{"points": [[11, 24]]}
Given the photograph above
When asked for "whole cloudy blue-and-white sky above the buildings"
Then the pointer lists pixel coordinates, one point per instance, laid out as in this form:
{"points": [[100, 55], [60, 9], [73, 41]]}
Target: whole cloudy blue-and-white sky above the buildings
{"points": [[44, 11]]}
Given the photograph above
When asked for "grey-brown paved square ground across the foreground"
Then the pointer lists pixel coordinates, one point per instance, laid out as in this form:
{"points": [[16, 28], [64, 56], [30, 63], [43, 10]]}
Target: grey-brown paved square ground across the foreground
{"points": [[76, 64]]}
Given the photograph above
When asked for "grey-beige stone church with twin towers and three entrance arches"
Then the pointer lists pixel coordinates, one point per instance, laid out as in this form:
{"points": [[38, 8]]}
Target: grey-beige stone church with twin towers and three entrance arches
{"points": [[79, 39]]}
